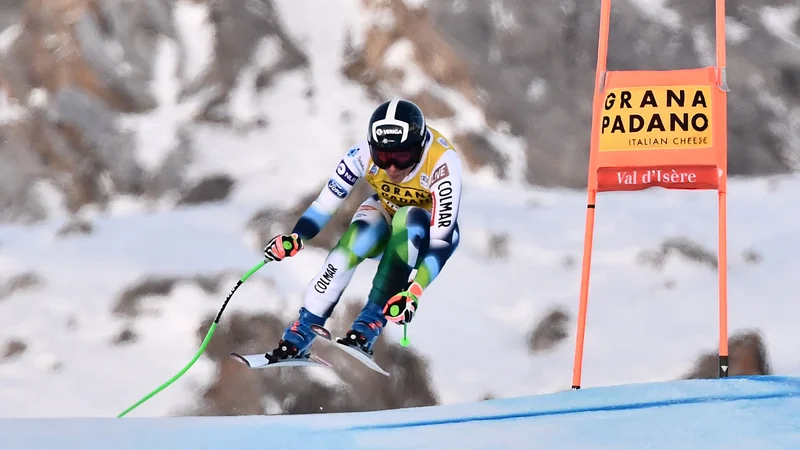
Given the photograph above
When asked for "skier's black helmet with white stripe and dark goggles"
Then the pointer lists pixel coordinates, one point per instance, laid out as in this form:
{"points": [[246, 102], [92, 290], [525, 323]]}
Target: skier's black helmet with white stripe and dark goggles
{"points": [[397, 134]]}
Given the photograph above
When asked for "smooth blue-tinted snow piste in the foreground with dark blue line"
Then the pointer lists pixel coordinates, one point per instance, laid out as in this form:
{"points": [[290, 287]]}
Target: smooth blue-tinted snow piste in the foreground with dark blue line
{"points": [[743, 413]]}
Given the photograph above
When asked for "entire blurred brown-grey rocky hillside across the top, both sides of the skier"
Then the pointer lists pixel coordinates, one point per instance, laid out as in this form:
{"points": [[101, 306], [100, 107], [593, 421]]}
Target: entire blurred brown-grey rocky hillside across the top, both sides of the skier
{"points": [[76, 73]]}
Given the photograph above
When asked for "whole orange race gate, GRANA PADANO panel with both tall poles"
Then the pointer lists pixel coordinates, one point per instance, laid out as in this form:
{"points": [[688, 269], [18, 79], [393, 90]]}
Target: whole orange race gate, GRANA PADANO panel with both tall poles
{"points": [[664, 128]]}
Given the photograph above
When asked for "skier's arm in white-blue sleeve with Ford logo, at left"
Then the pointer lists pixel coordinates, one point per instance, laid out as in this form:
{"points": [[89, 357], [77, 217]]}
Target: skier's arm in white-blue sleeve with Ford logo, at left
{"points": [[332, 196]]}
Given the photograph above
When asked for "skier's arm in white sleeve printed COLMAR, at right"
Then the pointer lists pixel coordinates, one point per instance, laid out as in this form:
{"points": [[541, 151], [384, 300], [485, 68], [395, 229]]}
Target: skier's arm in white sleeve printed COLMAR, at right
{"points": [[446, 192]]}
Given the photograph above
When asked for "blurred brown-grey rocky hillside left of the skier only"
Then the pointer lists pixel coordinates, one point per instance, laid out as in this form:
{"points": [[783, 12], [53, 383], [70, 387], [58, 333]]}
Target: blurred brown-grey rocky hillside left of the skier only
{"points": [[73, 71]]}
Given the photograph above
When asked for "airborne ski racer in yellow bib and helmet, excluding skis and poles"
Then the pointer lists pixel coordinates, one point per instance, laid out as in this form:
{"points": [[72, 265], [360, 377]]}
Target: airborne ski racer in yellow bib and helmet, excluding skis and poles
{"points": [[410, 223]]}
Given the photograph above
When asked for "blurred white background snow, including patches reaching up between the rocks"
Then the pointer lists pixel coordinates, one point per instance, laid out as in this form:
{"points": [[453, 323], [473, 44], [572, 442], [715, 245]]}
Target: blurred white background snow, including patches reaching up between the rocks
{"points": [[472, 321]]}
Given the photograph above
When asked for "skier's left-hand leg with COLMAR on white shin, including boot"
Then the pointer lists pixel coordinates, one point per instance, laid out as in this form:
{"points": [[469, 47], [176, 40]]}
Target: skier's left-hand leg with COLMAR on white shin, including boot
{"points": [[365, 237]]}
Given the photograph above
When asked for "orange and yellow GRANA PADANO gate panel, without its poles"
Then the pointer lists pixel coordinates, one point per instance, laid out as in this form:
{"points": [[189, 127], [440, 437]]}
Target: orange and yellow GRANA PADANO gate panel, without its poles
{"points": [[659, 129]]}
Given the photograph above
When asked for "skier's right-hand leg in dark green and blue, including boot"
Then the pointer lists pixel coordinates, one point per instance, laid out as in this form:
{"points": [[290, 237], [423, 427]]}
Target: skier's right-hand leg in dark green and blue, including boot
{"points": [[405, 251]]}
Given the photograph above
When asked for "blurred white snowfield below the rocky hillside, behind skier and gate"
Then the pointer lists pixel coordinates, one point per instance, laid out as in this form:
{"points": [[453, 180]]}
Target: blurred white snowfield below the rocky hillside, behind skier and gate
{"points": [[637, 329]]}
